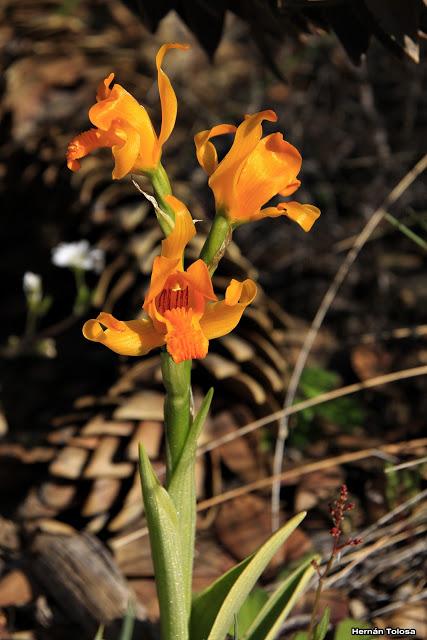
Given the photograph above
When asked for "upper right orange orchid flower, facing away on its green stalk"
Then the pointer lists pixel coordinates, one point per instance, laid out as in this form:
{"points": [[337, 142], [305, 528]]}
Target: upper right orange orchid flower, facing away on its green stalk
{"points": [[253, 171]]}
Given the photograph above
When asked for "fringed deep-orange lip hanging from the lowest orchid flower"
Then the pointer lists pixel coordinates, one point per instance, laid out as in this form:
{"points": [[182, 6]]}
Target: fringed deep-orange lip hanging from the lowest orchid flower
{"points": [[185, 339]]}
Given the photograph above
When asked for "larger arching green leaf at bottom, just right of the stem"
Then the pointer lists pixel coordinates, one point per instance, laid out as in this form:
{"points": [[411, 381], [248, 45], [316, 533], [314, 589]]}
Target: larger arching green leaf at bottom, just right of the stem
{"points": [[213, 610]]}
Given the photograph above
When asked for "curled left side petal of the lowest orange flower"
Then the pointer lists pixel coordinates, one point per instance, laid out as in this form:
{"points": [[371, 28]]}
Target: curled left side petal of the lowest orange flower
{"points": [[129, 338]]}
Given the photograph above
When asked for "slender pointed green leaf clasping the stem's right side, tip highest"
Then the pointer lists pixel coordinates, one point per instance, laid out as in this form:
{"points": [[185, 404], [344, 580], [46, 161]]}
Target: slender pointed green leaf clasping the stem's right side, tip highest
{"points": [[182, 490]]}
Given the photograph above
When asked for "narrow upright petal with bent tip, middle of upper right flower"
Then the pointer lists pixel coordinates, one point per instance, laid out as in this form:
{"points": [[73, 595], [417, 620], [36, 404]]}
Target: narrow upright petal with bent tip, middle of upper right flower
{"points": [[248, 134]]}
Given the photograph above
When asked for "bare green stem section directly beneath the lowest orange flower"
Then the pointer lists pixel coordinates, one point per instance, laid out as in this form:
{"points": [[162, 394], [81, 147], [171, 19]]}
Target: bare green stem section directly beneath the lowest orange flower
{"points": [[177, 382]]}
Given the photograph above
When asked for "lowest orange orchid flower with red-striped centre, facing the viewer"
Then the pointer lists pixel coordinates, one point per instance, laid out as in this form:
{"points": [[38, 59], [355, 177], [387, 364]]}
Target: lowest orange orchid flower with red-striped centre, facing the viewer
{"points": [[182, 309]]}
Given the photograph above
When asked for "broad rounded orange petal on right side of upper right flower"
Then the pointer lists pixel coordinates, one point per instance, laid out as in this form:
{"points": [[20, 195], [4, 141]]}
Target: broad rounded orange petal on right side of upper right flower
{"points": [[269, 169]]}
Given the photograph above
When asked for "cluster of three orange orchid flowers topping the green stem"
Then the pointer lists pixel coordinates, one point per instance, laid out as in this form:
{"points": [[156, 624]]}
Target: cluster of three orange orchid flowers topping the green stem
{"points": [[181, 310]]}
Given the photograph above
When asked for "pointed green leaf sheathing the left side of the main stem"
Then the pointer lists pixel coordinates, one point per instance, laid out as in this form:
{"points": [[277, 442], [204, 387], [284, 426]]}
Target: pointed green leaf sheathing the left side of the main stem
{"points": [[162, 523]]}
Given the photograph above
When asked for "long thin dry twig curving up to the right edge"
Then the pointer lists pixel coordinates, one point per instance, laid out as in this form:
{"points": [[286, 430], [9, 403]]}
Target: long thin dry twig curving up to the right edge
{"points": [[325, 305]]}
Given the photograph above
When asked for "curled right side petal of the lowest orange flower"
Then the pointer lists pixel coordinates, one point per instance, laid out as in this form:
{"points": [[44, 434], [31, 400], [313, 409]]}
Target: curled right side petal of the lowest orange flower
{"points": [[222, 317]]}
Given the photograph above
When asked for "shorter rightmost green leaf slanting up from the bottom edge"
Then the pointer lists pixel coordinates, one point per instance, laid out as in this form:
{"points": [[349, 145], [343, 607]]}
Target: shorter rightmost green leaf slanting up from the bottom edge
{"points": [[271, 617]]}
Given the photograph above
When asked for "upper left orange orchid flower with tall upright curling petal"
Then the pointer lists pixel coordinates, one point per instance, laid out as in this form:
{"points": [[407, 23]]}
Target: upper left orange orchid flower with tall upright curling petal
{"points": [[125, 126]]}
